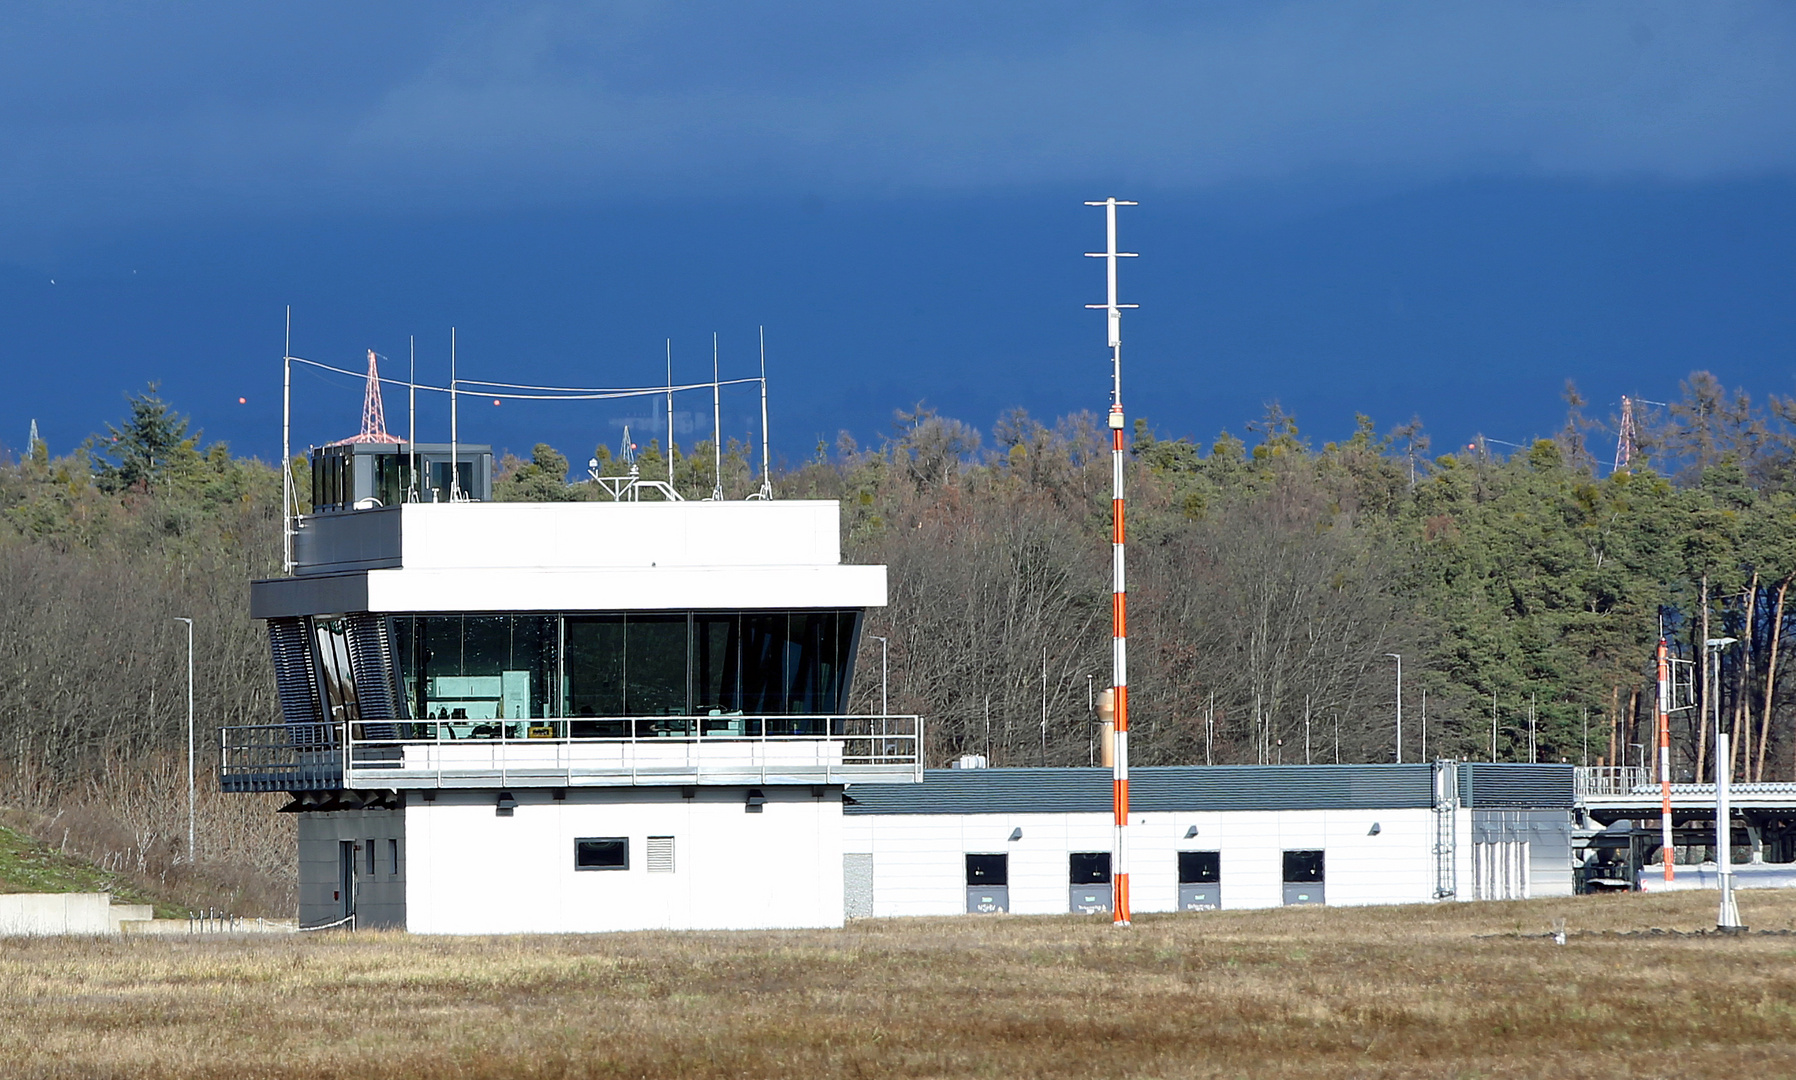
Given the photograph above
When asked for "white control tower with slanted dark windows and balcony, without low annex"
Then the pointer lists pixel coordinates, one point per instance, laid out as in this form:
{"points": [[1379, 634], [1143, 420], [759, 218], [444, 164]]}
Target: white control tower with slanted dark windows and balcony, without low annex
{"points": [[565, 716]]}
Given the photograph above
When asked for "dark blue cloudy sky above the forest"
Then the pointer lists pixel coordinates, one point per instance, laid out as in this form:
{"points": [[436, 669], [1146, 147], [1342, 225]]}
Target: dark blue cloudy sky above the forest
{"points": [[1398, 209]]}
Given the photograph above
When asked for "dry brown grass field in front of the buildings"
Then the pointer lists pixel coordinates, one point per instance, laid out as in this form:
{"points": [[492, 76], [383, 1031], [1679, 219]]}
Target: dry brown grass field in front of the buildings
{"points": [[1456, 991]]}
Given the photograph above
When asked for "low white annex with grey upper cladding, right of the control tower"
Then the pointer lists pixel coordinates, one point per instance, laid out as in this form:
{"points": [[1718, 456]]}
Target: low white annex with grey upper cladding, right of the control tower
{"points": [[1037, 842]]}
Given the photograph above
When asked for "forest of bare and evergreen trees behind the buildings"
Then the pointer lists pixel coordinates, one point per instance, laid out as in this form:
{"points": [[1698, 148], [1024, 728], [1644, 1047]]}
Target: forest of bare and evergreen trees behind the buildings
{"points": [[1272, 585]]}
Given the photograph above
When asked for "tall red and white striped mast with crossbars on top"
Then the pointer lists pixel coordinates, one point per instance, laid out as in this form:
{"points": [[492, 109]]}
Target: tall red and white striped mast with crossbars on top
{"points": [[1120, 596]]}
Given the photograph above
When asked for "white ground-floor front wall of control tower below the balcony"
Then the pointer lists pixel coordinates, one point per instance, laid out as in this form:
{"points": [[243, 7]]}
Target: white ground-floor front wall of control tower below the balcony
{"points": [[473, 871]]}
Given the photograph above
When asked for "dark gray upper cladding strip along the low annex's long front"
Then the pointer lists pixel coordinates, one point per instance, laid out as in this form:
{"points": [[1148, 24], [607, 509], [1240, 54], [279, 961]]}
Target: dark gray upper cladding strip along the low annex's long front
{"points": [[1152, 790]]}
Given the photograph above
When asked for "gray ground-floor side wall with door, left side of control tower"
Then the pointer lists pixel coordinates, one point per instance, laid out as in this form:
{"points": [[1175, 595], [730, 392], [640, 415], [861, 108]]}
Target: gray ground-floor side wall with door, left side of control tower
{"points": [[380, 896]]}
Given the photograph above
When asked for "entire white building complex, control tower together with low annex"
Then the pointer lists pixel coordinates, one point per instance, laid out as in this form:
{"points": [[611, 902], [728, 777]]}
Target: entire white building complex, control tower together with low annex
{"points": [[549, 718]]}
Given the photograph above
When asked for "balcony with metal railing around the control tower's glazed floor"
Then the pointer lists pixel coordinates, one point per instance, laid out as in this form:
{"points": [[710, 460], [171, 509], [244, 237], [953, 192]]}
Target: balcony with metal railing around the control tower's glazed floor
{"points": [[572, 752]]}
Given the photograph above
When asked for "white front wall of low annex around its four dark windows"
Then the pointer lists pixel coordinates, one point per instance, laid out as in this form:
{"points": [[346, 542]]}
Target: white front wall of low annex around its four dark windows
{"points": [[919, 865]]}
